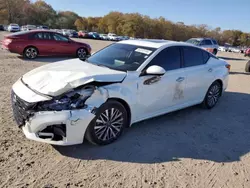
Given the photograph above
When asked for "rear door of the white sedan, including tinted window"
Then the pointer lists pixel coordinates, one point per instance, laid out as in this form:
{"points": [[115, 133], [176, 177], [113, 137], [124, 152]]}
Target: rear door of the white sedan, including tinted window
{"points": [[199, 75]]}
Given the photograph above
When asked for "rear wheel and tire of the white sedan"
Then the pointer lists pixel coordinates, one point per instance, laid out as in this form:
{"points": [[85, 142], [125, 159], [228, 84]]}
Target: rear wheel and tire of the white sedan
{"points": [[212, 96]]}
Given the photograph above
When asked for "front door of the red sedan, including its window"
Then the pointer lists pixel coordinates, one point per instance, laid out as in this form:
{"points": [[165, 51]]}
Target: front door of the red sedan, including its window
{"points": [[62, 45]]}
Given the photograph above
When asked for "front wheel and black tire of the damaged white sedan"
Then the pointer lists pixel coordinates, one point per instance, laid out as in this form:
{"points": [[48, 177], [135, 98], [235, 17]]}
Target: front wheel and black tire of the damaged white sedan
{"points": [[100, 132]]}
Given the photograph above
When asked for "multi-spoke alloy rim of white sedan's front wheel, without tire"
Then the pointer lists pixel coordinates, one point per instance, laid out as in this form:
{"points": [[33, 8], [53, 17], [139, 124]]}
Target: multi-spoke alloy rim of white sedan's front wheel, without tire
{"points": [[109, 124]]}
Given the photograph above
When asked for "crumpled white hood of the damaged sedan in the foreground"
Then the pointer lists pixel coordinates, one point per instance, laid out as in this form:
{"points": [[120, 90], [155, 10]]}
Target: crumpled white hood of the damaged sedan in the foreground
{"points": [[57, 78]]}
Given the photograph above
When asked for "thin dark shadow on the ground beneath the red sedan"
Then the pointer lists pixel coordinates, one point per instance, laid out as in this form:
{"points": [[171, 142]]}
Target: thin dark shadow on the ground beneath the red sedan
{"points": [[46, 59]]}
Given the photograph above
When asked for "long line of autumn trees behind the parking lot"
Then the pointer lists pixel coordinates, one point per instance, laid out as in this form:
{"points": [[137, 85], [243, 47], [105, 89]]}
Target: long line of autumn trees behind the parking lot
{"points": [[128, 24]]}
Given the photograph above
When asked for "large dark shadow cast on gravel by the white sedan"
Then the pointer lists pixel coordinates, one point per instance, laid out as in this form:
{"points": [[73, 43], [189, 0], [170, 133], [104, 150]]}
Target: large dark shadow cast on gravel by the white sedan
{"points": [[221, 135]]}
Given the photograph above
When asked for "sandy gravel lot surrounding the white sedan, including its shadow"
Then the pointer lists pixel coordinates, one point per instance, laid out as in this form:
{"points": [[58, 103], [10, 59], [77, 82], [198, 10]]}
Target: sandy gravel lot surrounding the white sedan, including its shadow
{"points": [[192, 148]]}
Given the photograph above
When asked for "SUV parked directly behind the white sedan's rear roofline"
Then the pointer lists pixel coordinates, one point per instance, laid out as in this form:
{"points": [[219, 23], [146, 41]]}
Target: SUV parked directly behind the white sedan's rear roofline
{"points": [[208, 44]]}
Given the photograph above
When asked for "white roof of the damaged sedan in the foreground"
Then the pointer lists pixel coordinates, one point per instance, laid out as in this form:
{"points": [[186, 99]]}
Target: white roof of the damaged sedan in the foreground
{"points": [[154, 43]]}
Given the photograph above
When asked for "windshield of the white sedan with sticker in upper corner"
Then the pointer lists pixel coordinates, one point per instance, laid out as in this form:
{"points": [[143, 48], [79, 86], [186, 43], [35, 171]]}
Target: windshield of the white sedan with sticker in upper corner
{"points": [[123, 57]]}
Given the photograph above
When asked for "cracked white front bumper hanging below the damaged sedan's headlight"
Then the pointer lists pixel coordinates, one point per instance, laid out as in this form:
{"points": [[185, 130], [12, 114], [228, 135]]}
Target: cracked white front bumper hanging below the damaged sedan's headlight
{"points": [[59, 127]]}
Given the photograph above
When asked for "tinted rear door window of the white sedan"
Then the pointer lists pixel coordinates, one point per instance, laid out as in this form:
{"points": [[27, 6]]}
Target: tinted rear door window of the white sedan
{"points": [[192, 56]]}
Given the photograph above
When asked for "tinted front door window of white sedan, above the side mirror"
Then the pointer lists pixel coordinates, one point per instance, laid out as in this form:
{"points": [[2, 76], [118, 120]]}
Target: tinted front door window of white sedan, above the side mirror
{"points": [[169, 59]]}
